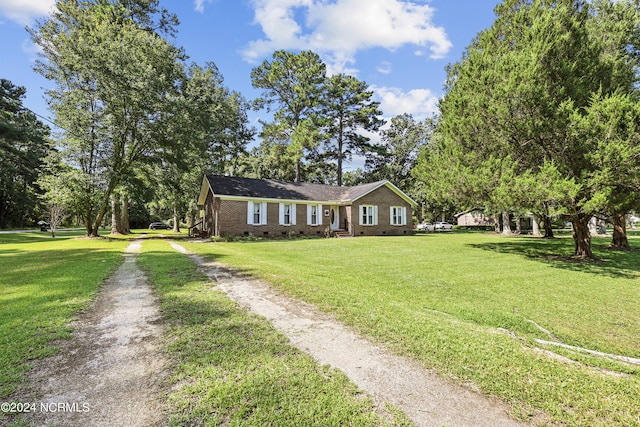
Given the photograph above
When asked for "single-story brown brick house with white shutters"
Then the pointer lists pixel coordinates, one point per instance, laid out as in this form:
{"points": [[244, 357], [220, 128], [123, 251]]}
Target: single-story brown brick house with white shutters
{"points": [[235, 206]]}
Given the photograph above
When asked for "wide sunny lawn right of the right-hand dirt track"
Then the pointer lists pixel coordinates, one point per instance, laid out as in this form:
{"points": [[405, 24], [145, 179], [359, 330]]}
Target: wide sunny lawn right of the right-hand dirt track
{"points": [[447, 299]]}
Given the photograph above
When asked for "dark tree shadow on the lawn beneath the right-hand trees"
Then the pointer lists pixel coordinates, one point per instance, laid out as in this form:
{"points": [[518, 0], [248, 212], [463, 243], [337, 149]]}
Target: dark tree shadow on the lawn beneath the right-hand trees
{"points": [[558, 253]]}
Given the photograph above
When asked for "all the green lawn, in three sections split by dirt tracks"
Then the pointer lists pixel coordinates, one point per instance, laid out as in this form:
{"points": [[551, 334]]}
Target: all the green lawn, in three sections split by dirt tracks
{"points": [[440, 298]]}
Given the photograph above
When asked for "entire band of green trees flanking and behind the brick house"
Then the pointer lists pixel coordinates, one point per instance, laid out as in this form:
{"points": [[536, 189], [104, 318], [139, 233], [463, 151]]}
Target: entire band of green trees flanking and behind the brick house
{"points": [[540, 115]]}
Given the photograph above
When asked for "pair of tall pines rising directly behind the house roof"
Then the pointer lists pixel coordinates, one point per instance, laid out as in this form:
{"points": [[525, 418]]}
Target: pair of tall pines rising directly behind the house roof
{"points": [[310, 108]]}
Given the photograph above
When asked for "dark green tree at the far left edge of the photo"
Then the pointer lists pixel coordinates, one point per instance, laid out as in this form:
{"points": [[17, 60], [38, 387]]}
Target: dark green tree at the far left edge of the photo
{"points": [[24, 144]]}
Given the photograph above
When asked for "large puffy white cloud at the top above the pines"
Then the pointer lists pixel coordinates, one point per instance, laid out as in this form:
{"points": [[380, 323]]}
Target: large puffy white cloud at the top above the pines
{"points": [[338, 29]]}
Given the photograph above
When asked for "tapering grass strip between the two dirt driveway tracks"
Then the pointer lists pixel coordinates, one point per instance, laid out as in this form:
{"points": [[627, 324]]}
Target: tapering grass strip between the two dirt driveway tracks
{"points": [[232, 368]]}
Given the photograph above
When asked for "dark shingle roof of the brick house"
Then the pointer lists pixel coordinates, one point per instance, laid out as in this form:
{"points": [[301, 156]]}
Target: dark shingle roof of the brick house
{"points": [[270, 189]]}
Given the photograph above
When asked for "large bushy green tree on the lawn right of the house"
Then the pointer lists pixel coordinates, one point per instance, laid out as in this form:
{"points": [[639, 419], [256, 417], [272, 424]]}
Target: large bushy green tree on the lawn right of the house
{"points": [[516, 103]]}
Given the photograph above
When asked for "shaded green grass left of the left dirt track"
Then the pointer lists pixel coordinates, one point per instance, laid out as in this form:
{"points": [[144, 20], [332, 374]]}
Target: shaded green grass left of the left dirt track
{"points": [[43, 282]]}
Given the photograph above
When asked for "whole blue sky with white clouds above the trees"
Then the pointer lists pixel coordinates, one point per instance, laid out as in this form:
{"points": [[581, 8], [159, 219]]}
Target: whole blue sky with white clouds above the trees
{"points": [[399, 47]]}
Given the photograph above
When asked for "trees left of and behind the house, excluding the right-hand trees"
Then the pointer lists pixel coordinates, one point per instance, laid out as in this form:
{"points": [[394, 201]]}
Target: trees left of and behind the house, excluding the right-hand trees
{"points": [[139, 126]]}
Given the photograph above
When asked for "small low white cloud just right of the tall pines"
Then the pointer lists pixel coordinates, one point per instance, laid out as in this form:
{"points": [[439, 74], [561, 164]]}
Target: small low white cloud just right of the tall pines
{"points": [[421, 103]]}
